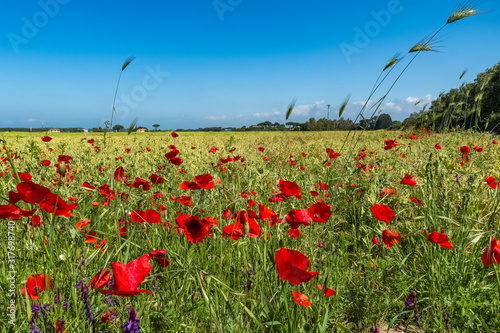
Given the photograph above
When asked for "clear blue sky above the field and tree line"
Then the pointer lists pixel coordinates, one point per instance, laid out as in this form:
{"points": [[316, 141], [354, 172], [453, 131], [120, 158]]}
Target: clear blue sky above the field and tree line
{"points": [[226, 62]]}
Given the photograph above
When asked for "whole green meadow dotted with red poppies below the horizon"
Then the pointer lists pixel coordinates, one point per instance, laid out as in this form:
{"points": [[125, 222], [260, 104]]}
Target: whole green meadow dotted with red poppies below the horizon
{"points": [[239, 232]]}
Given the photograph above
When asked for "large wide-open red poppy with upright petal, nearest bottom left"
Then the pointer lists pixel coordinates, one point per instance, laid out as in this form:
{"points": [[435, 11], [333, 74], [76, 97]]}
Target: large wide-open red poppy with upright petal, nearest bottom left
{"points": [[128, 277]]}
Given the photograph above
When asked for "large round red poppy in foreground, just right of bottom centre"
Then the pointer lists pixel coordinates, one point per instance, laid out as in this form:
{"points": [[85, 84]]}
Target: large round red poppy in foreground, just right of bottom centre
{"points": [[293, 266]]}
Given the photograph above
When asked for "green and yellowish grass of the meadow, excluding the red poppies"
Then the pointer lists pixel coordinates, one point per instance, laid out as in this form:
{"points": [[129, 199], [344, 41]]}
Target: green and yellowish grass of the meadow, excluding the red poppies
{"points": [[208, 288]]}
